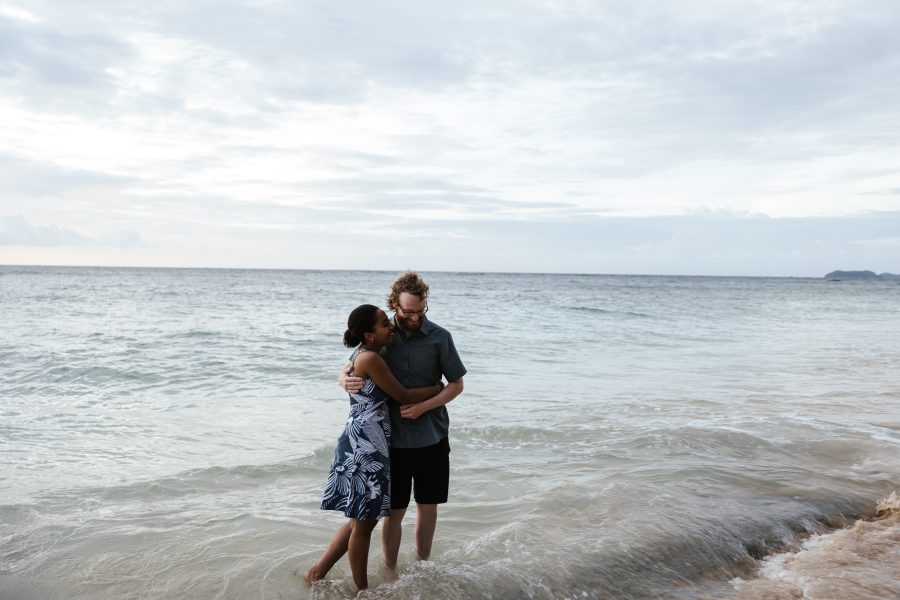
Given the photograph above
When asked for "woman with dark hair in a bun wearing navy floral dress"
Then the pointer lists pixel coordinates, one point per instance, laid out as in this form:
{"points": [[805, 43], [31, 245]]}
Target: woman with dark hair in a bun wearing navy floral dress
{"points": [[359, 481]]}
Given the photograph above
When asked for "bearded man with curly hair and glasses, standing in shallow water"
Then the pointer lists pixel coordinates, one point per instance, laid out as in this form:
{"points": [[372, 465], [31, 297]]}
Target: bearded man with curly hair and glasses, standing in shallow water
{"points": [[420, 353]]}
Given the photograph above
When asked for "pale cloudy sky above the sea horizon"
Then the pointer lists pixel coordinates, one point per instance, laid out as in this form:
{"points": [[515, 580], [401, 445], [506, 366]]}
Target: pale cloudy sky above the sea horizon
{"points": [[680, 137]]}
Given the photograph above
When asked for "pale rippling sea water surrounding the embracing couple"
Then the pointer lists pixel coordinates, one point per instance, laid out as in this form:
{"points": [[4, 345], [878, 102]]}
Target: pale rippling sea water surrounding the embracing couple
{"points": [[165, 434]]}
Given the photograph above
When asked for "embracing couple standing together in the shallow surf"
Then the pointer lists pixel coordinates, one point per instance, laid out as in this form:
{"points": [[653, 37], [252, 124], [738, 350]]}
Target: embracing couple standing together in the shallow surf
{"points": [[395, 440]]}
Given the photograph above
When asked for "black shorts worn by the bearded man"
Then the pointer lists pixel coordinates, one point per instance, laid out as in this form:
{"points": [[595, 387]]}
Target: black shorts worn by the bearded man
{"points": [[427, 468]]}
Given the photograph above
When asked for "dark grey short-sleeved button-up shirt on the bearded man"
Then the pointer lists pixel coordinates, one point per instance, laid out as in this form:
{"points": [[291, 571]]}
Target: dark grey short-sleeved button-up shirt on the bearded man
{"points": [[419, 360]]}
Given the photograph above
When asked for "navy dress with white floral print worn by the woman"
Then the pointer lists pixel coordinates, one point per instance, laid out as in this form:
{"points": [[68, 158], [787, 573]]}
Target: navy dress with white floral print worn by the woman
{"points": [[359, 483]]}
